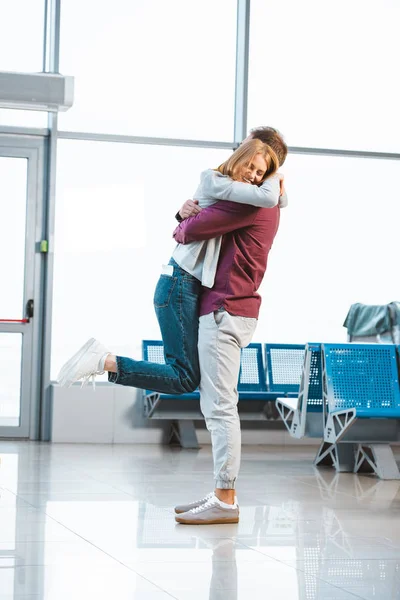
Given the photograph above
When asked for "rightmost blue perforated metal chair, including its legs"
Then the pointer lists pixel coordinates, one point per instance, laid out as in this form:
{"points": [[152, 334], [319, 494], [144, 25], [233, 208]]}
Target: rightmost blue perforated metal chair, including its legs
{"points": [[362, 400]]}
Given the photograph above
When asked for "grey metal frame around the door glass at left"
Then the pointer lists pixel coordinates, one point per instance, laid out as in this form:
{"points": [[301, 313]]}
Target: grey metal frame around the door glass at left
{"points": [[34, 149]]}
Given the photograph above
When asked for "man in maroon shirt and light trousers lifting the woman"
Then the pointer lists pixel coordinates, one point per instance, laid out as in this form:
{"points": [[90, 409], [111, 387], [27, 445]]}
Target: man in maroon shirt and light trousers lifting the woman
{"points": [[228, 318]]}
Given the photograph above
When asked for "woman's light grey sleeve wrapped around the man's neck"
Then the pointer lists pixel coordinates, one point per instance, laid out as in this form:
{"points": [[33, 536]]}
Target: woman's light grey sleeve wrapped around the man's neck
{"points": [[221, 187]]}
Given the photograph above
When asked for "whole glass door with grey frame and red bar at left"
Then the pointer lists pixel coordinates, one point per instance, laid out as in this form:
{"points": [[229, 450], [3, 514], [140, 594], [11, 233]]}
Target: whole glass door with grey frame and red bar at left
{"points": [[21, 201]]}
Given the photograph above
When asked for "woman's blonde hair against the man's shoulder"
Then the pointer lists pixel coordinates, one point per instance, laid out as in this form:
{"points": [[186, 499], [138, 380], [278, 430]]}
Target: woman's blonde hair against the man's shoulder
{"points": [[245, 154]]}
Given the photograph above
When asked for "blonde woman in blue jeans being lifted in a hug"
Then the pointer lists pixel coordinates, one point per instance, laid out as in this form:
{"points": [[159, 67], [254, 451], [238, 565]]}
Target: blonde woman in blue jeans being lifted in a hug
{"points": [[248, 177]]}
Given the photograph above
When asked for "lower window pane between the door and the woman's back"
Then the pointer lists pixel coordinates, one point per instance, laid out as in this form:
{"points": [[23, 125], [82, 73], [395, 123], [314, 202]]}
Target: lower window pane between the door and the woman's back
{"points": [[115, 209]]}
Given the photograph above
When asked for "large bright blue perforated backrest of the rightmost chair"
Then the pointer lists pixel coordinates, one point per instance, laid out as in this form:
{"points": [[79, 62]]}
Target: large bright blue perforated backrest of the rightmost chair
{"points": [[362, 376]]}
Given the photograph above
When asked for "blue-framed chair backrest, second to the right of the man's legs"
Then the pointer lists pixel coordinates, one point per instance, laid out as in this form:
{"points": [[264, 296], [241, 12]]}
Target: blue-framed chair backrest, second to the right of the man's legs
{"points": [[284, 367]]}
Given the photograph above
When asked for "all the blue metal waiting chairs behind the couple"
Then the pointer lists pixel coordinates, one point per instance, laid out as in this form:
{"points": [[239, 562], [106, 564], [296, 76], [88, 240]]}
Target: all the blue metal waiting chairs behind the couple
{"points": [[347, 395]]}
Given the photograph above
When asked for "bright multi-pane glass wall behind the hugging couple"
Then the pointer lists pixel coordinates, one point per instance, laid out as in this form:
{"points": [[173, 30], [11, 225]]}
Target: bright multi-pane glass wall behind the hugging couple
{"points": [[323, 74]]}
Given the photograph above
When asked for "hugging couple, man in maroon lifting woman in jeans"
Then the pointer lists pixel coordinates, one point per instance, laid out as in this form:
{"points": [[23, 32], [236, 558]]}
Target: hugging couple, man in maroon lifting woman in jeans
{"points": [[207, 305]]}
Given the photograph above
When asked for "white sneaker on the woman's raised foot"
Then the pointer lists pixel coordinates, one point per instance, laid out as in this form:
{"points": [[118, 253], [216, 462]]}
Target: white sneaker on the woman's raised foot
{"points": [[84, 364]]}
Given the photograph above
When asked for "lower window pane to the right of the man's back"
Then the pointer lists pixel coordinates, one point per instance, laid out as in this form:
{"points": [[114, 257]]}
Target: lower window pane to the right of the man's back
{"points": [[337, 245]]}
